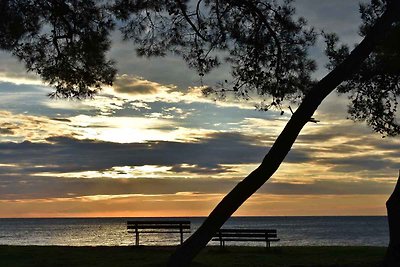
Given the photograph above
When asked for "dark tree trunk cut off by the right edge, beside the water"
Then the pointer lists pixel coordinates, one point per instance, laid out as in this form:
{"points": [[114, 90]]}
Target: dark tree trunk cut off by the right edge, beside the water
{"points": [[392, 258]]}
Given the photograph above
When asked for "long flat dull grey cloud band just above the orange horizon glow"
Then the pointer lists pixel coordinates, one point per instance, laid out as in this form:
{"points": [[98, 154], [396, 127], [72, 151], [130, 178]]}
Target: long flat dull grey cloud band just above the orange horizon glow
{"points": [[15, 187]]}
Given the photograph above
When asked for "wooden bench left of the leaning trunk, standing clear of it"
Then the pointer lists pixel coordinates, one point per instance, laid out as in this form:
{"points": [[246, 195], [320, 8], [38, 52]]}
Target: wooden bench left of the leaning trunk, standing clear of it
{"points": [[158, 227]]}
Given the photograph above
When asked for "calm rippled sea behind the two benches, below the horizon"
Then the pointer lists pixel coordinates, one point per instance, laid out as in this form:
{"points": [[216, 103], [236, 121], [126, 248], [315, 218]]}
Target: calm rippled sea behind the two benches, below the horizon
{"points": [[293, 231]]}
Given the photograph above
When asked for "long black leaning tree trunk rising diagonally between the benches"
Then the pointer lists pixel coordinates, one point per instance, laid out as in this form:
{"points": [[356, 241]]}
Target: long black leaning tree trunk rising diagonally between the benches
{"points": [[231, 202]]}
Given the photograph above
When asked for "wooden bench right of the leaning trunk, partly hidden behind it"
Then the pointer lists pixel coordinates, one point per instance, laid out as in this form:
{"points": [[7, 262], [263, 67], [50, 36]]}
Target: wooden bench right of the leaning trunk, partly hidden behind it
{"points": [[246, 235]]}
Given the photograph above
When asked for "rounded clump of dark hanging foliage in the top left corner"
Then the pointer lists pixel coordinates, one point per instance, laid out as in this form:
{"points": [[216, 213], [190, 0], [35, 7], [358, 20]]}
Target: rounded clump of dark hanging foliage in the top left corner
{"points": [[63, 41]]}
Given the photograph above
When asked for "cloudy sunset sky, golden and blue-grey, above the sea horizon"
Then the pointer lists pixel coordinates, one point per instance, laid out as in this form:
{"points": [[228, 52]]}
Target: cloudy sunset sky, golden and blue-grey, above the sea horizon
{"points": [[153, 145]]}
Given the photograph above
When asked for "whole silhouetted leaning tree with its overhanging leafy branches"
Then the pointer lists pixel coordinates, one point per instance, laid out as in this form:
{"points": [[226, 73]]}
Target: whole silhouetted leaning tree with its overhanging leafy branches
{"points": [[65, 42]]}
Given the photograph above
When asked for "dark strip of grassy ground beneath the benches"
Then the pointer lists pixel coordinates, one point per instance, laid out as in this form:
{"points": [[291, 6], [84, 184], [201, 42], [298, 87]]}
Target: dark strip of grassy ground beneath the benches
{"points": [[57, 256]]}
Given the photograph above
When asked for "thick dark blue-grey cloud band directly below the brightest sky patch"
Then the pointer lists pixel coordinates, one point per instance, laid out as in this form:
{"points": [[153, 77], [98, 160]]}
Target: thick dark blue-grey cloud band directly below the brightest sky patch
{"points": [[204, 155]]}
